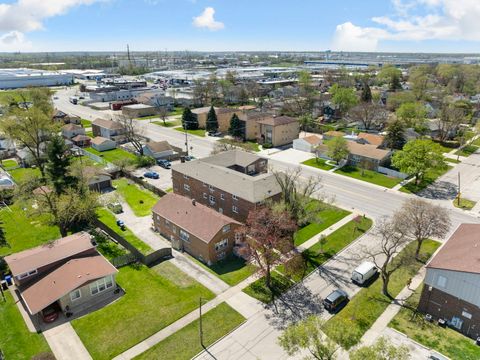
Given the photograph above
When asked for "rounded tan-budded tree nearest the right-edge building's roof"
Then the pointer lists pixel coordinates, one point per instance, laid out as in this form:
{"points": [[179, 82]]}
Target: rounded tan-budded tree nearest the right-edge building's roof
{"points": [[422, 220]]}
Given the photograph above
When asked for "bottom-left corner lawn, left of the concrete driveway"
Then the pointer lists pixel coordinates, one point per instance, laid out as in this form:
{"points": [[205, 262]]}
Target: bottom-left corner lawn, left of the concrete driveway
{"points": [[17, 342]]}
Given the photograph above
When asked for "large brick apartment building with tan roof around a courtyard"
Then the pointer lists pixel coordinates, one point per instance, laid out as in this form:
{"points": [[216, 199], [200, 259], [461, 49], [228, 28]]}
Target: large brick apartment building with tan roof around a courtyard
{"points": [[232, 183]]}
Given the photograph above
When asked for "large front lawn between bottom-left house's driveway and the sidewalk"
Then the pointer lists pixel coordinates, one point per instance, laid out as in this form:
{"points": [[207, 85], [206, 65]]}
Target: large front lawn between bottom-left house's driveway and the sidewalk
{"points": [[152, 302]]}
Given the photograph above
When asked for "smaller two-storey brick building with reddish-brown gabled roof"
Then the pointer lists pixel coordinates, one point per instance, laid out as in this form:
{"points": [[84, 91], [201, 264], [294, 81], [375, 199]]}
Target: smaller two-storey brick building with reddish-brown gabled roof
{"points": [[195, 228]]}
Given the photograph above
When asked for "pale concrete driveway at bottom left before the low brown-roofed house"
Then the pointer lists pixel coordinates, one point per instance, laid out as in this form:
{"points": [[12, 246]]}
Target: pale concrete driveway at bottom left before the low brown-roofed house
{"points": [[65, 343]]}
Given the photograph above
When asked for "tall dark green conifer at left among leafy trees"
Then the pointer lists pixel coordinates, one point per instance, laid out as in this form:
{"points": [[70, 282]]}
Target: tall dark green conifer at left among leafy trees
{"points": [[58, 165]]}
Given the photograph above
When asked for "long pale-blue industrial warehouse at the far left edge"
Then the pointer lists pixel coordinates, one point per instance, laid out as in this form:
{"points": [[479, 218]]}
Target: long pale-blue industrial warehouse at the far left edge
{"points": [[22, 78]]}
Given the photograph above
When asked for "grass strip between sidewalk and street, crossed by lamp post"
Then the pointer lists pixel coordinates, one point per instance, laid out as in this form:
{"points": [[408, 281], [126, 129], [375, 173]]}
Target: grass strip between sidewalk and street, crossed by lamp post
{"points": [[216, 323]]}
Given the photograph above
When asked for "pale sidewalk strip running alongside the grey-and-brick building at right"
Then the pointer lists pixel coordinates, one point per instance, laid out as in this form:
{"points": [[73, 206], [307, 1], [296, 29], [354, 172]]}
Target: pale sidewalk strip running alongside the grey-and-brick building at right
{"points": [[379, 326]]}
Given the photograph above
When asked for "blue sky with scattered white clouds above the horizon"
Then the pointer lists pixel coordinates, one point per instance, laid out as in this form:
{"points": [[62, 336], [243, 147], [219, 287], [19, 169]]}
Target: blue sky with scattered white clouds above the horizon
{"points": [[208, 25]]}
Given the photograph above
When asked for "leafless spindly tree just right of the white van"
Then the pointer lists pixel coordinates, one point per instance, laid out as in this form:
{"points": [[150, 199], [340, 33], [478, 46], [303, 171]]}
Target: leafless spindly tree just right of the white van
{"points": [[392, 241]]}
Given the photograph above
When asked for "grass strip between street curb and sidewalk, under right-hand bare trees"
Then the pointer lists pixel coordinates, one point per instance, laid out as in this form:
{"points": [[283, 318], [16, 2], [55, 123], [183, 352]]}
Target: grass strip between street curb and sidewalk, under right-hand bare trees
{"points": [[369, 303]]}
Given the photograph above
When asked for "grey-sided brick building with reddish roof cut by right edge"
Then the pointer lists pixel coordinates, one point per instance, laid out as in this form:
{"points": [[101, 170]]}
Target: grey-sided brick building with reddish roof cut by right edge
{"points": [[451, 288]]}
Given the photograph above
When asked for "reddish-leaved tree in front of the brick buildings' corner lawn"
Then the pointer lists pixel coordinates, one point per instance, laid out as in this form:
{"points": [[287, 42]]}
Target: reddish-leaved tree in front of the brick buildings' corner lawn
{"points": [[268, 239]]}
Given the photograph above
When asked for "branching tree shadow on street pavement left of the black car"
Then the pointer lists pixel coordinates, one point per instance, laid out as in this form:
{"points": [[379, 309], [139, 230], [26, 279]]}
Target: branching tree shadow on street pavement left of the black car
{"points": [[296, 304]]}
